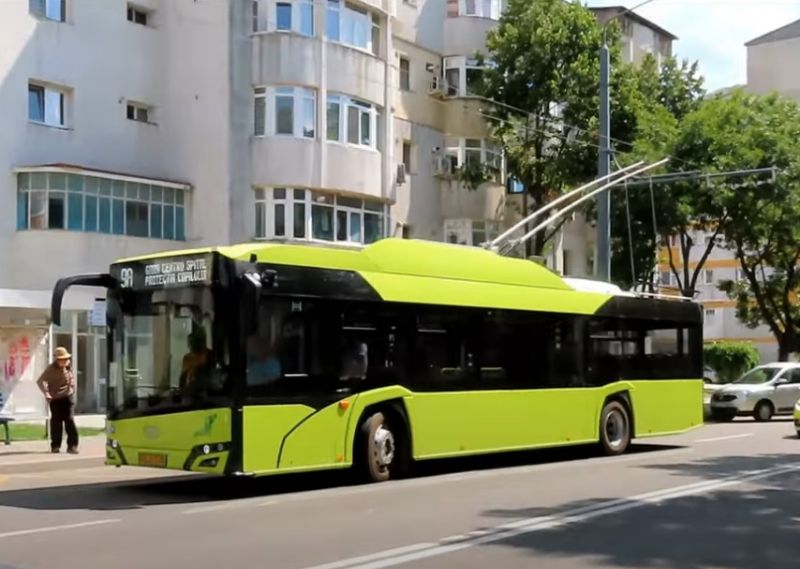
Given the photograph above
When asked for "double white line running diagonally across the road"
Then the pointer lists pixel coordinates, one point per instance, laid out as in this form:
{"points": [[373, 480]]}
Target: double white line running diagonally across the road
{"points": [[419, 551]]}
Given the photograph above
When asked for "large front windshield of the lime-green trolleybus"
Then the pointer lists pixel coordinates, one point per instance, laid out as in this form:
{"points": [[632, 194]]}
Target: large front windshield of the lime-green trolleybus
{"points": [[167, 351]]}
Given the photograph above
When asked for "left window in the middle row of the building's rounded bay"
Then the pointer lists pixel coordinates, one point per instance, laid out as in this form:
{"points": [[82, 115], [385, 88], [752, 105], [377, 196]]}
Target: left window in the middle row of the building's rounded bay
{"points": [[293, 112]]}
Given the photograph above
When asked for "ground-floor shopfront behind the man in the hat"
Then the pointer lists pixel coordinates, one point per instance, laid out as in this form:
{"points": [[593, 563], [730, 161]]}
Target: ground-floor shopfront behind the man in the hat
{"points": [[28, 339]]}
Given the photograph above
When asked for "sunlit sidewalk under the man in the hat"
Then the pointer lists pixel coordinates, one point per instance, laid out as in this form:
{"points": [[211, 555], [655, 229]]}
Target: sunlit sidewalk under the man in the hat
{"points": [[35, 456]]}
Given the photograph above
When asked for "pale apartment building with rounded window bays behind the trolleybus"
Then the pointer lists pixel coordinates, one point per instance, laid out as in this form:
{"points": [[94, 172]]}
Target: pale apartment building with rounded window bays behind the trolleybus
{"points": [[134, 127]]}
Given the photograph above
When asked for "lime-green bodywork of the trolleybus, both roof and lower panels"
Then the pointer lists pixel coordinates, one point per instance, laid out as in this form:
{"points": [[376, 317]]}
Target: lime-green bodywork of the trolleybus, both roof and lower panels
{"points": [[296, 438]]}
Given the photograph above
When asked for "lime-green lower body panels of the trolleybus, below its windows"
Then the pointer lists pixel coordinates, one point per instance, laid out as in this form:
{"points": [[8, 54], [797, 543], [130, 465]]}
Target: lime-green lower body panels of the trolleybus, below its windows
{"points": [[296, 438]]}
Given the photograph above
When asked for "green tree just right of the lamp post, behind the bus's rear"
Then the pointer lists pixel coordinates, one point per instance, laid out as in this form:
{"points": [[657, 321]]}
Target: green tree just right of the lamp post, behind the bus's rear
{"points": [[662, 98]]}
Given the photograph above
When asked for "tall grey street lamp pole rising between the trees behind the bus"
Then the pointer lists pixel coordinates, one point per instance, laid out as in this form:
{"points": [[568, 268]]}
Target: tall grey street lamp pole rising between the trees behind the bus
{"points": [[603, 263]]}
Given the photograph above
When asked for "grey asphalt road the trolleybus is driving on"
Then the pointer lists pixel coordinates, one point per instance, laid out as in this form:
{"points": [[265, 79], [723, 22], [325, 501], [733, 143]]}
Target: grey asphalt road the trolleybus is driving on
{"points": [[725, 496]]}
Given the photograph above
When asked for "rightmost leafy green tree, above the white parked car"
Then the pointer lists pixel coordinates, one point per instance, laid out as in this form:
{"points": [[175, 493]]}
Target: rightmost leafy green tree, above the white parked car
{"points": [[758, 219]]}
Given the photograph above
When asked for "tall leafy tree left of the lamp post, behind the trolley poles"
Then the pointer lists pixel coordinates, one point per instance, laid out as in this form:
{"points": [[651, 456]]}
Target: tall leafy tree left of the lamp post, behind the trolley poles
{"points": [[544, 60]]}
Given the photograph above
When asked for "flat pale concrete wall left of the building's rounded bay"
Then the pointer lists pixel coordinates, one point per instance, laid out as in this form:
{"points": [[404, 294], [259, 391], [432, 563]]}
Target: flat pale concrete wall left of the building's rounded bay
{"points": [[180, 66]]}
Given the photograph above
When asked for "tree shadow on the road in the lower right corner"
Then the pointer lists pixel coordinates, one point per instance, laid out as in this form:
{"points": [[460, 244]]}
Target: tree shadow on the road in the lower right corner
{"points": [[756, 525]]}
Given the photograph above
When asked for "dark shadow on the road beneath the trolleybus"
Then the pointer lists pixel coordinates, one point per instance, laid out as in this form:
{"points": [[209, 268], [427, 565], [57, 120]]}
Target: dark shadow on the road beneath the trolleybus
{"points": [[198, 489]]}
